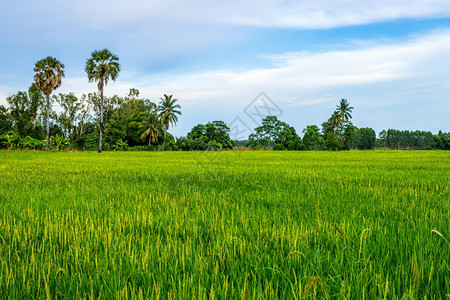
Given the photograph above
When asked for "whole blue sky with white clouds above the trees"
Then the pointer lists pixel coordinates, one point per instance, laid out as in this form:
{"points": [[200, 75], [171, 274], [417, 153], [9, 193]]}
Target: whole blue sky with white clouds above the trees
{"points": [[237, 61]]}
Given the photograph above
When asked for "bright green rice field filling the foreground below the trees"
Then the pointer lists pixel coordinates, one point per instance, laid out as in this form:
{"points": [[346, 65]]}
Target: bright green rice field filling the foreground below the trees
{"points": [[225, 225]]}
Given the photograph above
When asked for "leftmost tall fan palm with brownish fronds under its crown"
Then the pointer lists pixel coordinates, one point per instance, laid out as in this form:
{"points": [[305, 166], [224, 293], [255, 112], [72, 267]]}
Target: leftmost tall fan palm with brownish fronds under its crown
{"points": [[49, 72]]}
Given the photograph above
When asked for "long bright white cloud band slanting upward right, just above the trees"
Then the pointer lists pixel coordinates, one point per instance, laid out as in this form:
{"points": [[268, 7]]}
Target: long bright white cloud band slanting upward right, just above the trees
{"points": [[295, 74]]}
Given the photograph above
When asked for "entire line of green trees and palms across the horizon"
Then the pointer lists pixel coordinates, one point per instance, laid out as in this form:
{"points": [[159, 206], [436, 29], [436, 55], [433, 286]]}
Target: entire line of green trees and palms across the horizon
{"points": [[96, 122]]}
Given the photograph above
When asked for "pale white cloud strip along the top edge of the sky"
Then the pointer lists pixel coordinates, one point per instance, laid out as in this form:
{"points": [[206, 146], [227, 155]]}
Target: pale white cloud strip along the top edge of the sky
{"points": [[113, 14]]}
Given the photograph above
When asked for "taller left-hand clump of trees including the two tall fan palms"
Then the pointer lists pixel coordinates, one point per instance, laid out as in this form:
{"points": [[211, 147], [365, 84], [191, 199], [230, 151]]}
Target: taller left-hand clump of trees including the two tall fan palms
{"points": [[82, 122]]}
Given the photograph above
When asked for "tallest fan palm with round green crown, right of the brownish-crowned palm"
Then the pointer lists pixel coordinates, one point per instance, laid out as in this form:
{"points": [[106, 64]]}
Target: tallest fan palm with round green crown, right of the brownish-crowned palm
{"points": [[102, 67]]}
